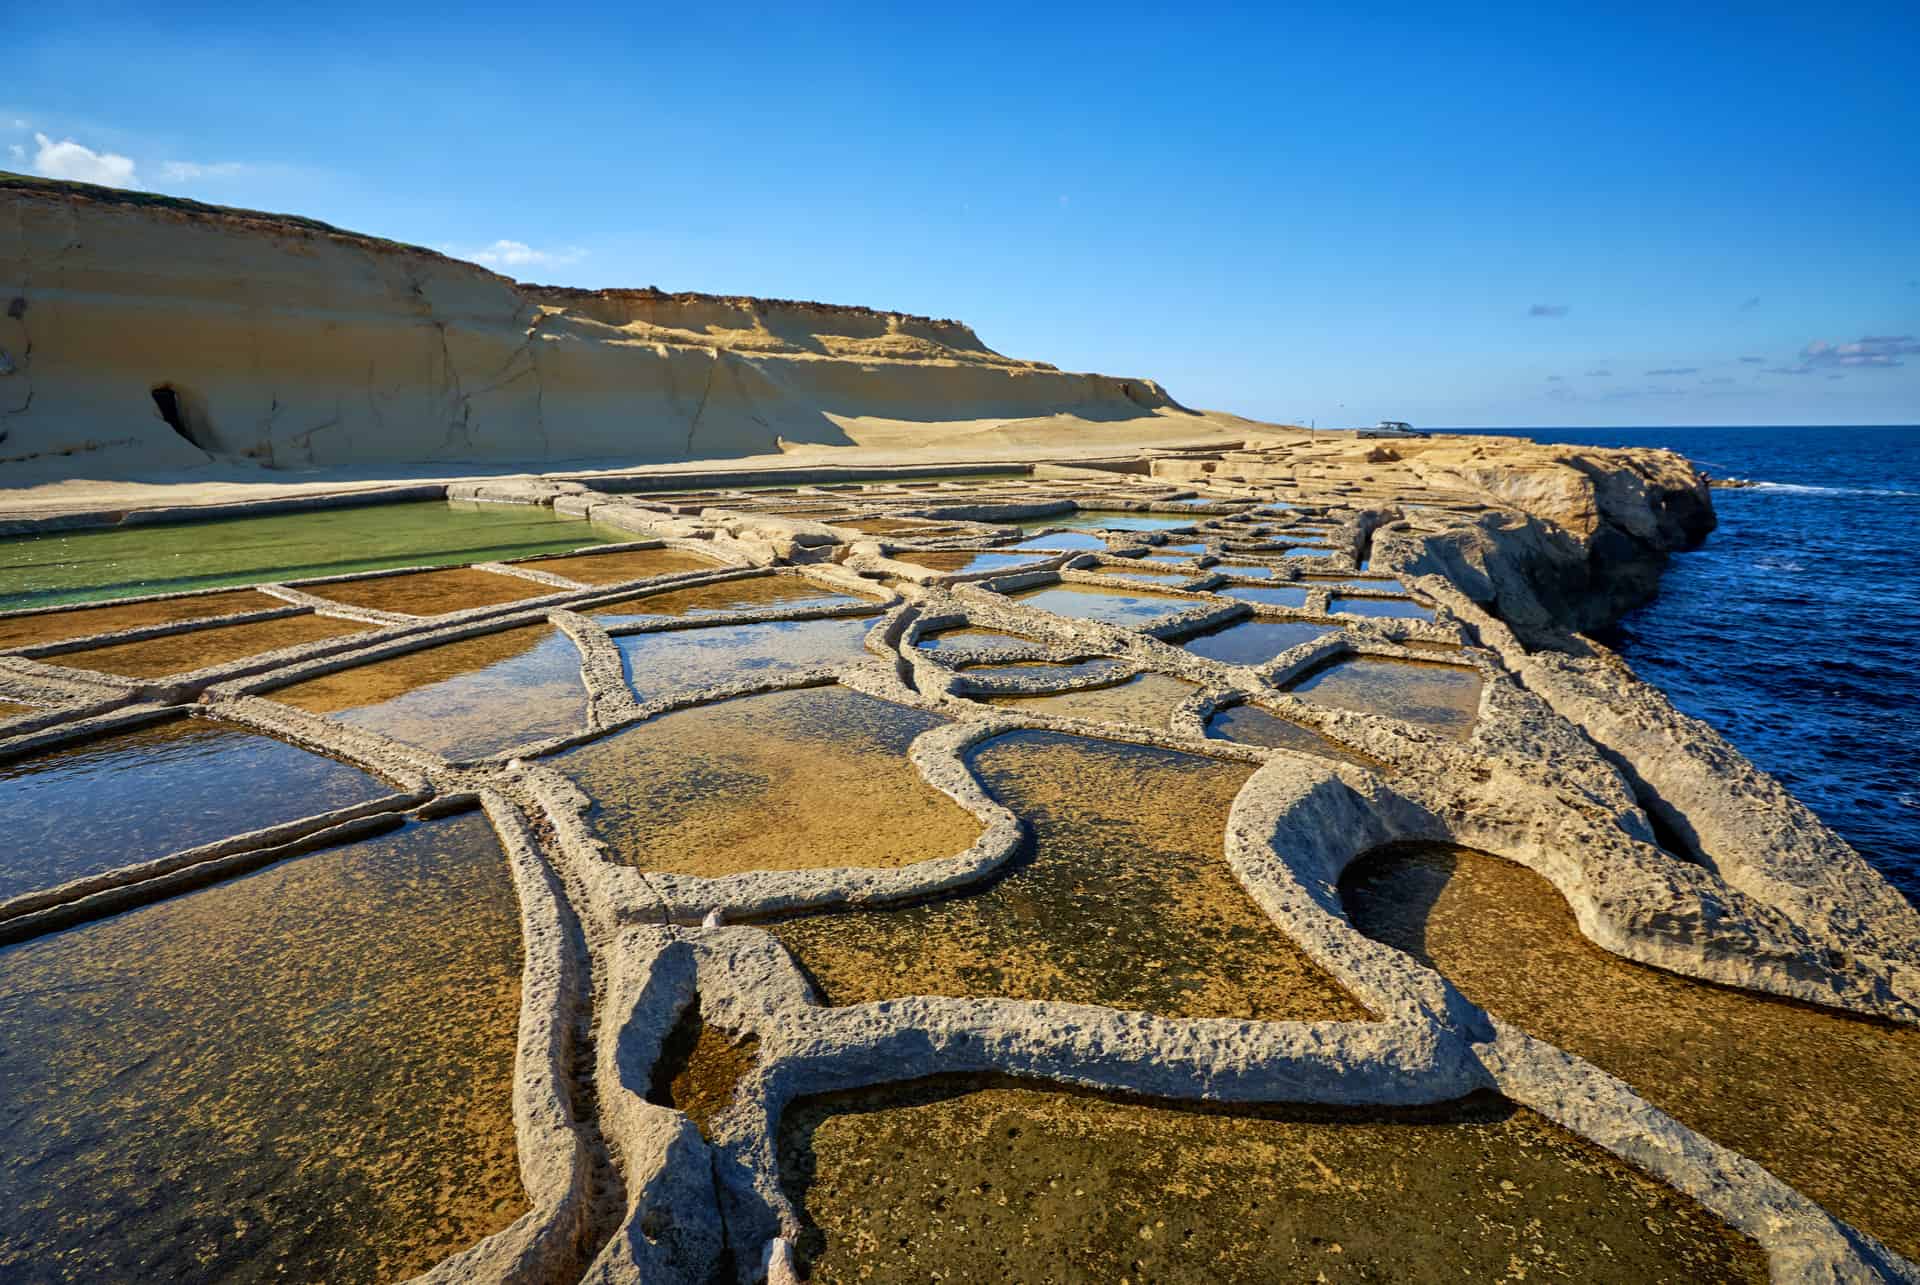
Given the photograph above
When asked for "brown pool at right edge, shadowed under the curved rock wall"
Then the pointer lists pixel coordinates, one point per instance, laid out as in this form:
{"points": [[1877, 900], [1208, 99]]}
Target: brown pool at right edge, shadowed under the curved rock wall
{"points": [[1829, 1103]]}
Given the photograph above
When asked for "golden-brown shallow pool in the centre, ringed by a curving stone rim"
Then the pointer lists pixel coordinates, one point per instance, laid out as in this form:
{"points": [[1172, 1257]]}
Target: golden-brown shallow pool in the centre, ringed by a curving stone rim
{"points": [[784, 781]]}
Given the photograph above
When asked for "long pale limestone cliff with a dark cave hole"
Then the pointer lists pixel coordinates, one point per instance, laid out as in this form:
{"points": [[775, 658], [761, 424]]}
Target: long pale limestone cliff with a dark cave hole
{"points": [[143, 333]]}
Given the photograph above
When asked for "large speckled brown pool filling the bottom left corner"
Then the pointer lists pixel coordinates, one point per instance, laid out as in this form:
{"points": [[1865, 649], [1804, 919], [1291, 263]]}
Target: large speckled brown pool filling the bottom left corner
{"points": [[299, 1075]]}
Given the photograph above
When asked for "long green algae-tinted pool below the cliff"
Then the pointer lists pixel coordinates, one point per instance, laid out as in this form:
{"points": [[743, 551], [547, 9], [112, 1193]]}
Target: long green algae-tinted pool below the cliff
{"points": [[70, 568]]}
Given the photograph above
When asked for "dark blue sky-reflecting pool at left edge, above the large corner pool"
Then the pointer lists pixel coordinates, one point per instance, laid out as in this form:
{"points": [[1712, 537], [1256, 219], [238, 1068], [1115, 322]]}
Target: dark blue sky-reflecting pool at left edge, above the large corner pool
{"points": [[158, 790]]}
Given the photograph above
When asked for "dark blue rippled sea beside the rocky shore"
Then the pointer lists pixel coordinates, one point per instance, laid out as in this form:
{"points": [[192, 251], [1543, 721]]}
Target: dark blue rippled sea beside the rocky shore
{"points": [[1796, 627]]}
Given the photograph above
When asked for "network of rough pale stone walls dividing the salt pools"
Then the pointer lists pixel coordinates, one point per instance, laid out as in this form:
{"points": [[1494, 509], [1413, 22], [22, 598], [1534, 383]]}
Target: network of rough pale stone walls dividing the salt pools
{"points": [[615, 956]]}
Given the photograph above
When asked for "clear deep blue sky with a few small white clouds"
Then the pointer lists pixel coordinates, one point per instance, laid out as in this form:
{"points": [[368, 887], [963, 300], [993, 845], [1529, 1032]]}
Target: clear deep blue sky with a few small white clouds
{"points": [[1504, 216]]}
